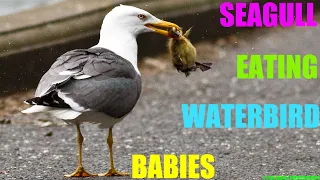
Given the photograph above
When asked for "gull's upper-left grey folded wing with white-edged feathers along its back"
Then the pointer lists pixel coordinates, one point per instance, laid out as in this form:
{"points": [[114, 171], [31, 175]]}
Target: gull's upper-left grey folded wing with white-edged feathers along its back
{"points": [[74, 64]]}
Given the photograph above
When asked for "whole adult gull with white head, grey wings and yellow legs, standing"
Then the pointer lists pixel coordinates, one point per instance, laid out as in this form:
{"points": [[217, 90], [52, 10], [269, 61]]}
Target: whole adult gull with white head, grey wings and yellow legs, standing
{"points": [[102, 84]]}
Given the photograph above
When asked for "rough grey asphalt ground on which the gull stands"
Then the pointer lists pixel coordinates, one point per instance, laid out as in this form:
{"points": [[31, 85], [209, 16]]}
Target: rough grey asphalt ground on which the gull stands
{"points": [[155, 125]]}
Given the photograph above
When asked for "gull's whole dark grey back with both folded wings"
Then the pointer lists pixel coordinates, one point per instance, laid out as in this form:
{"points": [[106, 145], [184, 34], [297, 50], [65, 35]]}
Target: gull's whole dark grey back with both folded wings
{"points": [[94, 79]]}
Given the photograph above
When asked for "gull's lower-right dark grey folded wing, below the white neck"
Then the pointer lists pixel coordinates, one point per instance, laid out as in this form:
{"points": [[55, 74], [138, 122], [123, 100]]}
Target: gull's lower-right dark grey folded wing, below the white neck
{"points": [[115, 97]]}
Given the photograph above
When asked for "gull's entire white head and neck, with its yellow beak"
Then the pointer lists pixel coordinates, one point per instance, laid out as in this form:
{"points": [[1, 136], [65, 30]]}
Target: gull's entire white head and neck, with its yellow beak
{"points": [[123, 24]]}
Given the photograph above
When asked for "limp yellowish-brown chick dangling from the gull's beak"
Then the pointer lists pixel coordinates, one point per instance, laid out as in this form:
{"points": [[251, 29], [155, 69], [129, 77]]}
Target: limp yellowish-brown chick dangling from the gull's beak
{"points": [[183, 53]]}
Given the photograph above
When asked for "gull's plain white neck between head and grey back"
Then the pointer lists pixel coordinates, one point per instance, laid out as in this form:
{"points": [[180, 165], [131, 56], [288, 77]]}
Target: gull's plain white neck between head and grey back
{"points": [[120, 42]]}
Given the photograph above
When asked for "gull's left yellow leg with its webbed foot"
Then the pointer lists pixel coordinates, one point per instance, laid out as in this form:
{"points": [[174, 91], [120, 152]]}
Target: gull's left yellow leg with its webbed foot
{"points": [[80, 172]]}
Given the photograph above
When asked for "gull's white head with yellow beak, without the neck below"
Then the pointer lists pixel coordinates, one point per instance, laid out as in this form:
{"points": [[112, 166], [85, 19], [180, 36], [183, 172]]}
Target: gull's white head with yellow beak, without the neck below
{"points": [[136, 21]]}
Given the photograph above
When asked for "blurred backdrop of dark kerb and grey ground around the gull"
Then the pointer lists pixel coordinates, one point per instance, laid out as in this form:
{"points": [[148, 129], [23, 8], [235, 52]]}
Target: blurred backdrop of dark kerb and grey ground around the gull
{"points": [[33, 33]]}
